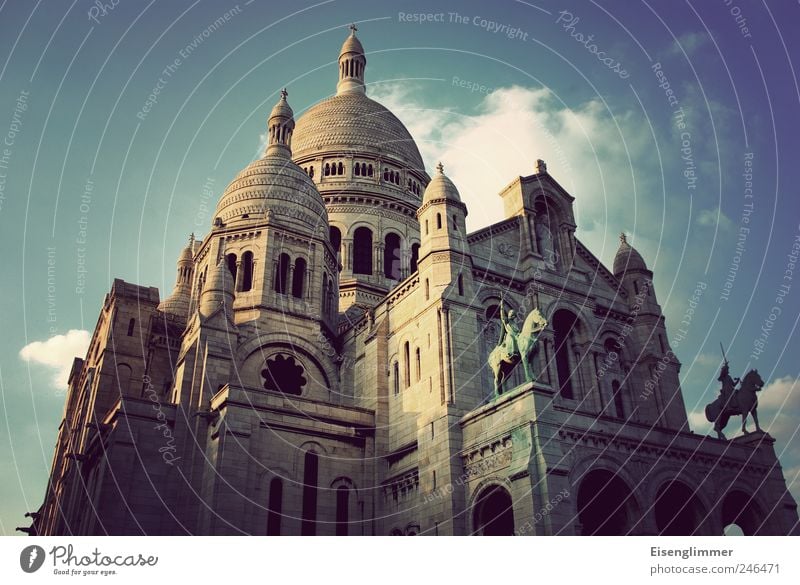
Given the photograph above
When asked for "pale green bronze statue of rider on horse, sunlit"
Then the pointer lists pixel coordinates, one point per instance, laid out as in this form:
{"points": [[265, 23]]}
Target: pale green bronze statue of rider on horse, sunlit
{"points": [[515, 347]]}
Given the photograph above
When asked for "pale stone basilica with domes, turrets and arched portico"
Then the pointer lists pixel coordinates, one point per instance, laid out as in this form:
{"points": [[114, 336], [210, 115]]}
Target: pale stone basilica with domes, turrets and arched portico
{"points": [[324, 366]]}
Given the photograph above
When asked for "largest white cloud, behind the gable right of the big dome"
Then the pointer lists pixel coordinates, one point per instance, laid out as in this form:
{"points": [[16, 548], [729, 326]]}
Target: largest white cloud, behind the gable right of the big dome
{"points": [[605, 161]]}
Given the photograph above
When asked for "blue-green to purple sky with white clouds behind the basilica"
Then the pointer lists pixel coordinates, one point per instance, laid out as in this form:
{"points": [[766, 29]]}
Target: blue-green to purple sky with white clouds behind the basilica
{"points": [[675, 122]]}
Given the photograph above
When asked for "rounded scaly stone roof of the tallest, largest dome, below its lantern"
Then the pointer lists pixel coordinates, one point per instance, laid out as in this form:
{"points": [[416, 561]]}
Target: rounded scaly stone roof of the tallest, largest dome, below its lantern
{"points": [[352, 122]]}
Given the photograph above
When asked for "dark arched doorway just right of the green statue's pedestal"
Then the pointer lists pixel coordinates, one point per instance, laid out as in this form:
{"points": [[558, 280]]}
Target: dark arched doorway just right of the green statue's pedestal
{"points": [[605, 504]]}
